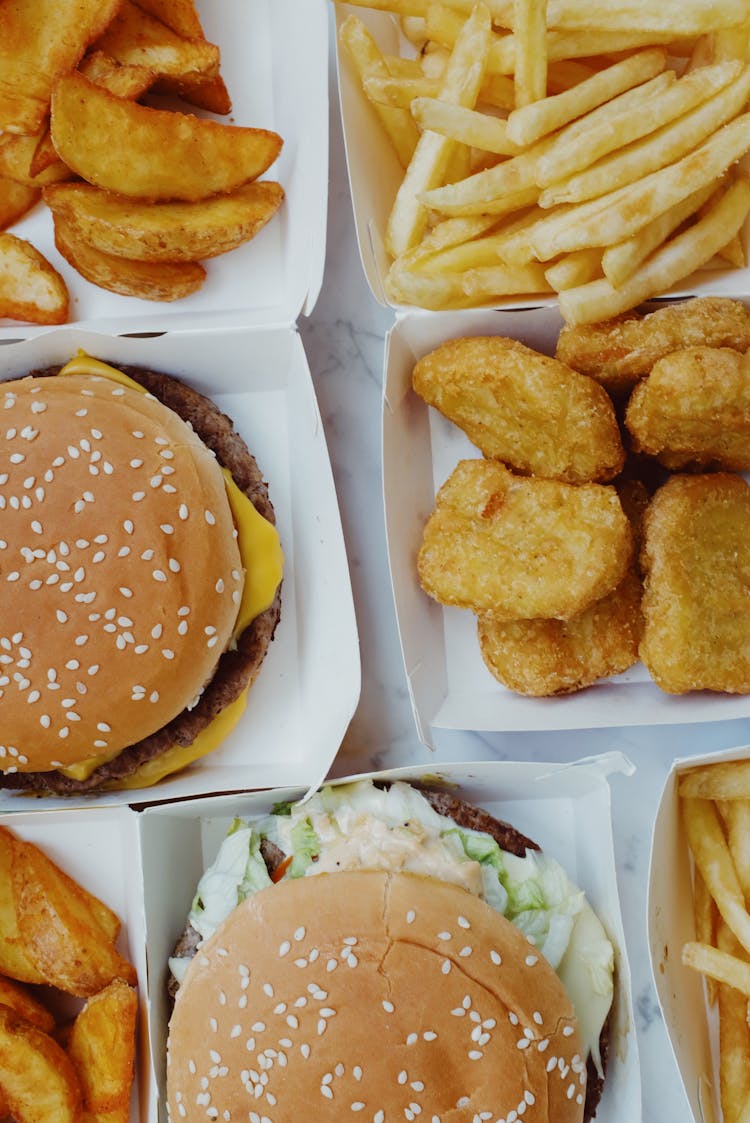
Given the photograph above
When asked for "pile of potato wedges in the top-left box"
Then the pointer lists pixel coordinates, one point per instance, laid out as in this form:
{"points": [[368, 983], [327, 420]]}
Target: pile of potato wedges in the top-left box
{"points": [[140, 196]]}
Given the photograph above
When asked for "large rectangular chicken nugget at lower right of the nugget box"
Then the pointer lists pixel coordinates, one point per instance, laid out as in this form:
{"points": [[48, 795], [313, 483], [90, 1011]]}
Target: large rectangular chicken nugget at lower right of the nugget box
{"points": [[697, 601]]}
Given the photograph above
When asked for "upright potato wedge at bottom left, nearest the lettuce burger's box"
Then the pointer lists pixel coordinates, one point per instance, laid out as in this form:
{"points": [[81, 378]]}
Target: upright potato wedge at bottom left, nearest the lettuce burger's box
{"points": [[102, 1046]]}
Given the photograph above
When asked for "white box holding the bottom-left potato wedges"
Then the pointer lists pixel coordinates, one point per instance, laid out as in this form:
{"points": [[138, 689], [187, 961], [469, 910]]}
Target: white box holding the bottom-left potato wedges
{"points": [[98, 848]]}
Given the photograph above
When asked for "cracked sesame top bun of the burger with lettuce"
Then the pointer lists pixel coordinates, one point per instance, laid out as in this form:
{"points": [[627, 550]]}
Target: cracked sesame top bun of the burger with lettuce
{"points": [[372, 996]]}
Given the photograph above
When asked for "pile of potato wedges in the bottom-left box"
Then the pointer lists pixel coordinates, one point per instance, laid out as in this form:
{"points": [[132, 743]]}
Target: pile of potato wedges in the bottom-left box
{"points": [[58, 941]]}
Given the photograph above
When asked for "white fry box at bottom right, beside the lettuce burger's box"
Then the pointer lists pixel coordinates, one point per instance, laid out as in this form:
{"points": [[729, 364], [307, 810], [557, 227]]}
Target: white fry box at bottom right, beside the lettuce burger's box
{"points": [[692, 1025]]}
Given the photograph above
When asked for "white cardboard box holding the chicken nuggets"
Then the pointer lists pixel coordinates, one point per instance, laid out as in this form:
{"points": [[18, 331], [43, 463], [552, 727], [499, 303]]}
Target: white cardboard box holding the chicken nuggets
{"points": [[450, 686]]}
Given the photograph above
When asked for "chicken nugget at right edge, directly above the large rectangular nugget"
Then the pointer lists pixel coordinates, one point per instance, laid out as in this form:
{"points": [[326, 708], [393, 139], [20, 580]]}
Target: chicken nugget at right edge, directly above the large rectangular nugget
{"points": [[694, 408]]}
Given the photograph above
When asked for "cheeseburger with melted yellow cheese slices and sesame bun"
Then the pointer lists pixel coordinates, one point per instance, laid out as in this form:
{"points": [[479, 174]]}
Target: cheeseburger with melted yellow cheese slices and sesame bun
{"points": [[140, 578]]}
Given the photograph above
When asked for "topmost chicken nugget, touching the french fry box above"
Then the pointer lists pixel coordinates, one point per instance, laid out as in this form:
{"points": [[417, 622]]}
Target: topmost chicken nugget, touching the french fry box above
{"points": [[620, 352]]}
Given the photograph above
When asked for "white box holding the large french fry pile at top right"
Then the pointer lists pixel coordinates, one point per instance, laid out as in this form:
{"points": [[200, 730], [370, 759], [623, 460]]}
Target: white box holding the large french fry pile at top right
{"points": [[376, 176]]}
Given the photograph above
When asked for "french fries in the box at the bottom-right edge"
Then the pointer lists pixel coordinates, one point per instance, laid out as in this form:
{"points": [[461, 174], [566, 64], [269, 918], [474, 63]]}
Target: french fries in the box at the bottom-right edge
{"points": [[717, 814]]}
